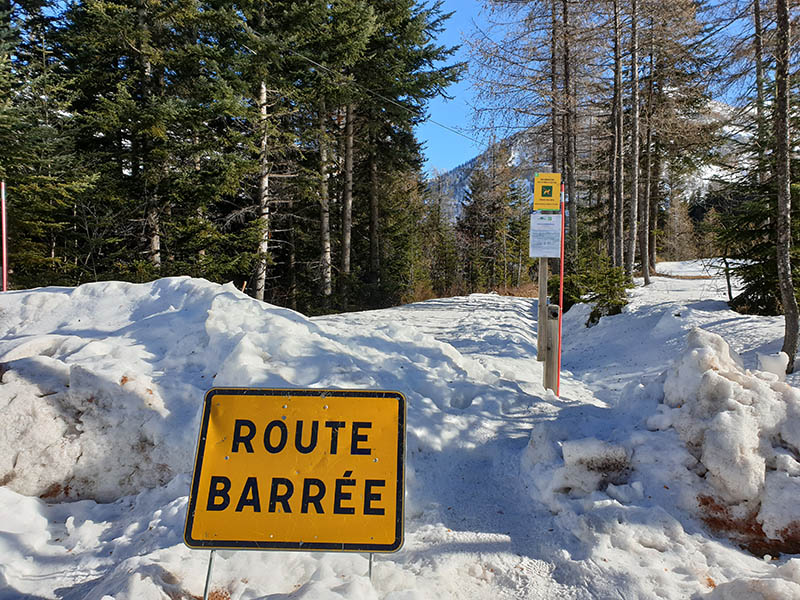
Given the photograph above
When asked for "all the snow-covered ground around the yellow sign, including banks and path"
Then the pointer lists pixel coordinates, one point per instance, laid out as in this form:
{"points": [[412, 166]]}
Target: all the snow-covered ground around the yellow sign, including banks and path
{"points": [[675, 439]]}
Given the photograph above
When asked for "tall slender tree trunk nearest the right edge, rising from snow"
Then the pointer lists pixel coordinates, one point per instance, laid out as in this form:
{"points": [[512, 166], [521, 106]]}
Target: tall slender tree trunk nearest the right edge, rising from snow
{"points": [[782, 174]]}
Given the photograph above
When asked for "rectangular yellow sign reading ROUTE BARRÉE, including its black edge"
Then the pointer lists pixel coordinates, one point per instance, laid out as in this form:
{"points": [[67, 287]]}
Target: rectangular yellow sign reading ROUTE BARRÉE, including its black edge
{"points": [[299, 470]]}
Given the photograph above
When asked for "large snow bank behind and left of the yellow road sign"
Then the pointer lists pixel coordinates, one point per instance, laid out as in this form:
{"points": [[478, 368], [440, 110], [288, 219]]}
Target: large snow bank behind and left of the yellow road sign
{"points": [[101, 385]]}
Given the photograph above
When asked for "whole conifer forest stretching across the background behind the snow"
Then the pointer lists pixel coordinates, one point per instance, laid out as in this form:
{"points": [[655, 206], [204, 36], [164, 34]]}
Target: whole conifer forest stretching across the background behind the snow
{"points": [[271, 144]]}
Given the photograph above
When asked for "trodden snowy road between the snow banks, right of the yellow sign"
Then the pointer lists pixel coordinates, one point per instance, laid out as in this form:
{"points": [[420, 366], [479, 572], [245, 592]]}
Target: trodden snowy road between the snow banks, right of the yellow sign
{"points": [[477, 535]]}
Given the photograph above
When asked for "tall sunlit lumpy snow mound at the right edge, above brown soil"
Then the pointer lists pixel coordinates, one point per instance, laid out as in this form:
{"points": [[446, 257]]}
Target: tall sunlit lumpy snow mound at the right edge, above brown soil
{"points": [[743, 427]]}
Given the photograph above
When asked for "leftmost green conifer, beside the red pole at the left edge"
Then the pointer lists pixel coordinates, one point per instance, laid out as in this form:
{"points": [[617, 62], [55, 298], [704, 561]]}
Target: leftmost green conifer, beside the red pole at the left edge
{"points": [[45, 176]]}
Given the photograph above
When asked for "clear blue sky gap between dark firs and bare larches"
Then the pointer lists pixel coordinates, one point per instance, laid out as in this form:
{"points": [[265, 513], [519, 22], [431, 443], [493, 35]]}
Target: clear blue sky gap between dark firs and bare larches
{"points": [[444, 149]]}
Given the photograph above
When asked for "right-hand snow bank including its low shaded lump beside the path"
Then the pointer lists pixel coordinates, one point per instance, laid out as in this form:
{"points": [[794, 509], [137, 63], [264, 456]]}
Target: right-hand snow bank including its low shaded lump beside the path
{"points": [[739, 464]]}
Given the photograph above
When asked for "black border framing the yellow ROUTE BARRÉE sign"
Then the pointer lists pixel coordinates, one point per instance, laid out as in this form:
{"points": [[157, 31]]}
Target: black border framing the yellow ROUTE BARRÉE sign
{"points": [[298, 546]]}
